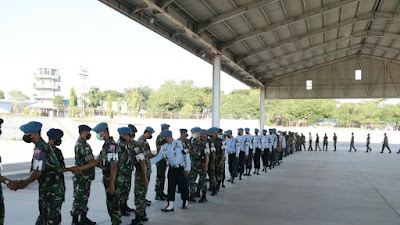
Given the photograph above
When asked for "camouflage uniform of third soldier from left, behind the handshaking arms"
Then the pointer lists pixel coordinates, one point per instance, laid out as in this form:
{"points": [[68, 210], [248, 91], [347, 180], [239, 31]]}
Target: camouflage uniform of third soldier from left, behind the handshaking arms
{"points": [[83, 153]]}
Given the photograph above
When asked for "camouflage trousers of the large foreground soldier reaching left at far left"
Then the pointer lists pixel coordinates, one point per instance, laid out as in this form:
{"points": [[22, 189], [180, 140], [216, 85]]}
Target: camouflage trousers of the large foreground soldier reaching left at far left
{"points": [[50, 201]]}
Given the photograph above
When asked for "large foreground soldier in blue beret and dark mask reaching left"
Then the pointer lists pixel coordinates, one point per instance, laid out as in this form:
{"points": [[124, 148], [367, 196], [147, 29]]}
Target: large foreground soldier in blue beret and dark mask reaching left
{"points": [[47, 170]]}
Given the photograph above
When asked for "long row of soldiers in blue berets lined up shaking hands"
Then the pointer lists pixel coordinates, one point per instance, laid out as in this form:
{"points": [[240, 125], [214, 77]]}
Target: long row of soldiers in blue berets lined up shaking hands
{"points": [[203, 154]]}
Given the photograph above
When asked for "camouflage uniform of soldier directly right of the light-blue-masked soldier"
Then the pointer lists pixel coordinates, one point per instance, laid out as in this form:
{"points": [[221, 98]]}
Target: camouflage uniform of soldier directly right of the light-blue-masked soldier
{"points": [[125, 169]]}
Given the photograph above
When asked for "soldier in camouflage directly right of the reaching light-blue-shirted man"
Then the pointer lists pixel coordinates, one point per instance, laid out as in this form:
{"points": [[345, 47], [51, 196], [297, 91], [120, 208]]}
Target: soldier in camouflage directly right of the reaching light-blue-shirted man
{"points": [[200, 159]]}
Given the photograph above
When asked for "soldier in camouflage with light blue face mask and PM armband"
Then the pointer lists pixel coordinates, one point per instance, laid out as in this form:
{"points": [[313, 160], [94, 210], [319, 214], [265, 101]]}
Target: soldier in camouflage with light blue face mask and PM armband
{"points": [[108, 162]]}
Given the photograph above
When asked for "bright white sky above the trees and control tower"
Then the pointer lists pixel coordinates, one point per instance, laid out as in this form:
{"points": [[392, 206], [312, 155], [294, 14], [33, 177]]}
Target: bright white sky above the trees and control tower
{"points": [[66, 34]]}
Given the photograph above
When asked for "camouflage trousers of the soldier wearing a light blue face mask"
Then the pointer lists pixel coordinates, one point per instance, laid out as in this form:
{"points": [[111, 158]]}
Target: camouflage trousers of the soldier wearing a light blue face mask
{"points": [[113, 206]]}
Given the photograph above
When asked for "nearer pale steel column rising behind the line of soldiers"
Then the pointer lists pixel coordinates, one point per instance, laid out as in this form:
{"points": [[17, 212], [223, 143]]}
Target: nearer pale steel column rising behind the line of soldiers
{"points": [[216, 89]]}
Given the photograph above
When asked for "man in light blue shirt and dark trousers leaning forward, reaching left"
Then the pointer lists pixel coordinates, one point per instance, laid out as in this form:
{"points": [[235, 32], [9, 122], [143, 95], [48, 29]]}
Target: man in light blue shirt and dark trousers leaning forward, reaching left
{"points": [[179, 167]]}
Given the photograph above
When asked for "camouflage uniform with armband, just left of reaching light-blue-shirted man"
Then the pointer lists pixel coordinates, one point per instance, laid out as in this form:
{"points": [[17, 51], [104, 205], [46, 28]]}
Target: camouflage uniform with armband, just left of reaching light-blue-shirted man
{"points": [[135, 153]]}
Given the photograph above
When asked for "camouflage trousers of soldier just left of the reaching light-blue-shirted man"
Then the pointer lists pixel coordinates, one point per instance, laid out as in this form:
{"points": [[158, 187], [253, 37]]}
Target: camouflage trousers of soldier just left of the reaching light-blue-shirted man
{"points": [[140, 192]]}
